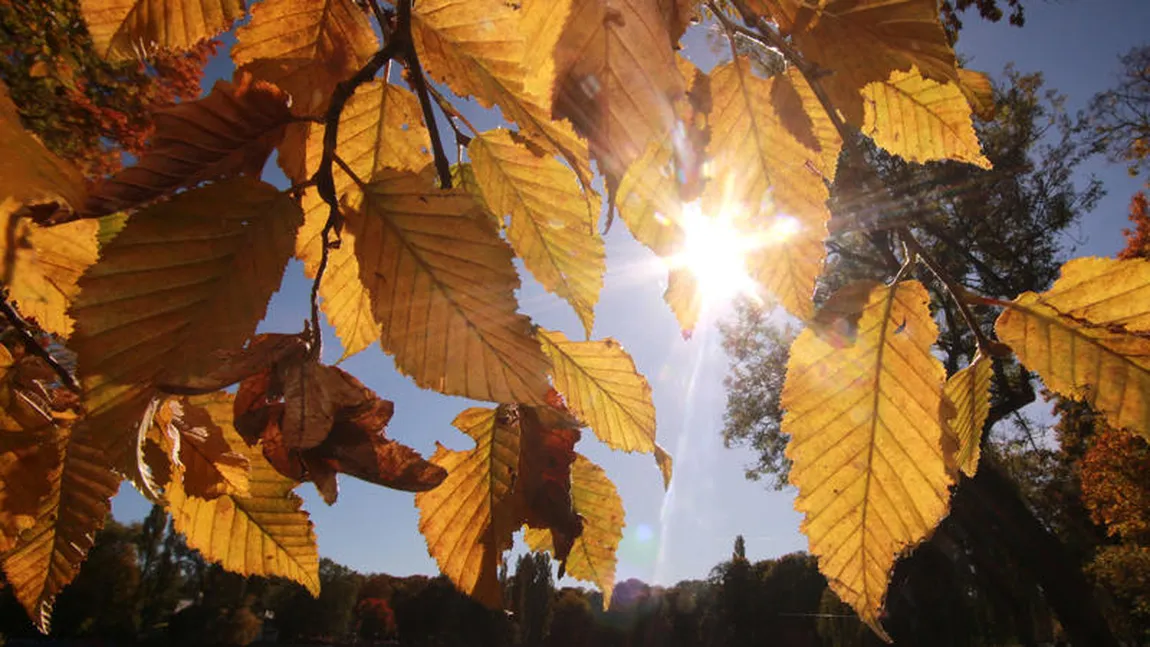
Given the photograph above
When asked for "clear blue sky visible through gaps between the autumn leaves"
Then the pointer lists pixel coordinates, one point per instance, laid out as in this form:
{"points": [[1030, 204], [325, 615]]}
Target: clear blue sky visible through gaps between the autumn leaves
{"points": [[683, 534]]}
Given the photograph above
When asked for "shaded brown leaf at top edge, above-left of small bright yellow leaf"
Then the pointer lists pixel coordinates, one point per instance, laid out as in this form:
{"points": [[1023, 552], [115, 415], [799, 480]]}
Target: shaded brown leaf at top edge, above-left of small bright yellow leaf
{"points": [[863, 42]]}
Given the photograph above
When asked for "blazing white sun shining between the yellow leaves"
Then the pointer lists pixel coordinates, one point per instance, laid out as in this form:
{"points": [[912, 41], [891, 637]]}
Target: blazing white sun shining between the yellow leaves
{"points": [[717, 252]]}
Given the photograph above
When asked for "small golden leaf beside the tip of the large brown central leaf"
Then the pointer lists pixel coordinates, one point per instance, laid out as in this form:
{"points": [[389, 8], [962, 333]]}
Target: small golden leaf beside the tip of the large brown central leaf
{"points": [[602, 387]]}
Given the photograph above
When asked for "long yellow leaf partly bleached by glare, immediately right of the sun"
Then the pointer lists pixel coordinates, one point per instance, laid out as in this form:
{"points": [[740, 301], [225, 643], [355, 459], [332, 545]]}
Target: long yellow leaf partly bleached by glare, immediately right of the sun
{"points": [[772, 181]]}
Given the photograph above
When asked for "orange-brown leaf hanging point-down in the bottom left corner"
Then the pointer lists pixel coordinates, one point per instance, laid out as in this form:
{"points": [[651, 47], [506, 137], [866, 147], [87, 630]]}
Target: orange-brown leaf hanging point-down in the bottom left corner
{"points": [[48, 557]]}
